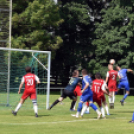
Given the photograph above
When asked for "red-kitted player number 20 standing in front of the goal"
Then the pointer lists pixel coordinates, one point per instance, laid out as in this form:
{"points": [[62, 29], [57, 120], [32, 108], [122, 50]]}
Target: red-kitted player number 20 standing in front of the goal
{"points": [[30, 81]]}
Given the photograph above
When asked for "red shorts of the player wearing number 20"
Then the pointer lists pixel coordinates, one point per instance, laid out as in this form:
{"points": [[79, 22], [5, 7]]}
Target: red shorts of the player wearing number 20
{"points": [[32, 95]]}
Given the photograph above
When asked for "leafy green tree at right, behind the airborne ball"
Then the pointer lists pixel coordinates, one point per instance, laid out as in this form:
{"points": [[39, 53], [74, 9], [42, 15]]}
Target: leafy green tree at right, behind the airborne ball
{"points": [[114, 35]]}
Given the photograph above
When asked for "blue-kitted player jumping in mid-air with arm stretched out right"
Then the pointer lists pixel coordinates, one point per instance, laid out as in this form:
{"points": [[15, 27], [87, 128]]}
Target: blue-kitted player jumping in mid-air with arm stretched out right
{"points": [[123, 82]]}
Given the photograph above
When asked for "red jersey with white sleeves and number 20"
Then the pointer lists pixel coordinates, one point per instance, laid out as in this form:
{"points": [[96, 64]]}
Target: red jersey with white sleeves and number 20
{"points": [[30, 81]]}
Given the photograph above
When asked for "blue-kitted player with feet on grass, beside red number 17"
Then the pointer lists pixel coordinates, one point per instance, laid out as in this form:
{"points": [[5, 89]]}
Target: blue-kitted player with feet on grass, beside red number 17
{"points": [[87, 94]]}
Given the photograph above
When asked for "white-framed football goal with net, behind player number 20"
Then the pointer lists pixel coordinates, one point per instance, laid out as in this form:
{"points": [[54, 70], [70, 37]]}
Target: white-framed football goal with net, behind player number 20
{"points": [[12, 69]]}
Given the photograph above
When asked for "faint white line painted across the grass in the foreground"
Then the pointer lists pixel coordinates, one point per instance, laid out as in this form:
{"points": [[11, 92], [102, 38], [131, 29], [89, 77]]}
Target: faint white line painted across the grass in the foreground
{"points": [[55, 122]]}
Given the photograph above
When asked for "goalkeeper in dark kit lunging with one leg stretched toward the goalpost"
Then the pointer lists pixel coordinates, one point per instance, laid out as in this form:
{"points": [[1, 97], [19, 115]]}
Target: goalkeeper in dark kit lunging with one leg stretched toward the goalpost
{"points": [[69, 90]]}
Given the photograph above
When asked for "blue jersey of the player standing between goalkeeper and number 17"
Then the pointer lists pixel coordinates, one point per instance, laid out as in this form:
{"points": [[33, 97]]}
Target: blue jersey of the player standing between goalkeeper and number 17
{"points": [[87, 79]]}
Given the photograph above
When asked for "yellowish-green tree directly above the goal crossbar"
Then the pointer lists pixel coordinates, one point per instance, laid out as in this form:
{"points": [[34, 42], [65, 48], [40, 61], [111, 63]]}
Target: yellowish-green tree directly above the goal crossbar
{"points": [[34, 25]]}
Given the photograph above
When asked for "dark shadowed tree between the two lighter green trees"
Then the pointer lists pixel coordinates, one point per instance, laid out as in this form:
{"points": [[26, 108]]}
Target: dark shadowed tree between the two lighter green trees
{"points": [[77, 33]]}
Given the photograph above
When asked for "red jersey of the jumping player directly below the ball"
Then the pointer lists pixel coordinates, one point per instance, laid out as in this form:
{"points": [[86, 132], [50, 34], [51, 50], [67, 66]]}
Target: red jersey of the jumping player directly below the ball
{"points": [[112, 76]]}
